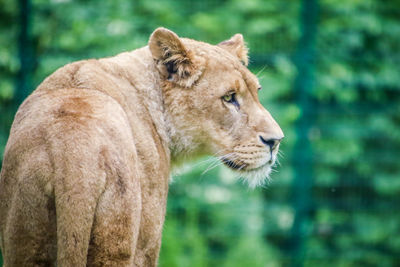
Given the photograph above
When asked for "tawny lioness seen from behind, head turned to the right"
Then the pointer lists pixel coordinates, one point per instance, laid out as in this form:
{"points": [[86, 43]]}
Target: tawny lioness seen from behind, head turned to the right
{"points": [[86, 168]]}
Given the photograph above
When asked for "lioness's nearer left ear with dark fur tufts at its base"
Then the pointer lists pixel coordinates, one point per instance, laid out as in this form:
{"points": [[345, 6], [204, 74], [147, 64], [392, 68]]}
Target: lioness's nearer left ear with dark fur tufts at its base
{"points": [[175, 62]]}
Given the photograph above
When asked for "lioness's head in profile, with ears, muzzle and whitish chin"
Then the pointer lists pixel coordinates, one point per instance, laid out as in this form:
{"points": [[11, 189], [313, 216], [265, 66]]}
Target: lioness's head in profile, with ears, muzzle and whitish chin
{"points": [[211, 100]]}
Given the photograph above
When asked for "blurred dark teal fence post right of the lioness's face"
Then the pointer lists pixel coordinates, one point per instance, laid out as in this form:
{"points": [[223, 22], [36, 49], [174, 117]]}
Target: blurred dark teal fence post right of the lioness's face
{"points": [[302, 201]]}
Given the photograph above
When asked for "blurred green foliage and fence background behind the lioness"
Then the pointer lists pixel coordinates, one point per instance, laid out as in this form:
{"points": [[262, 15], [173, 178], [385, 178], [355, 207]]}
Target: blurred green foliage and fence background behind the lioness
{"points": [[331, 77]]}
